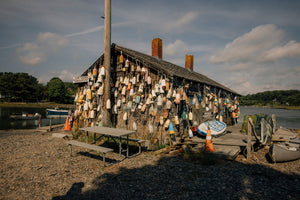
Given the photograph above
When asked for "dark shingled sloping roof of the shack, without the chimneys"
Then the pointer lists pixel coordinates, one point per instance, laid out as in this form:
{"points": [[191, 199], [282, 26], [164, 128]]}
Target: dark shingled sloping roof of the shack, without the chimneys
{"points": [[163, 66]]}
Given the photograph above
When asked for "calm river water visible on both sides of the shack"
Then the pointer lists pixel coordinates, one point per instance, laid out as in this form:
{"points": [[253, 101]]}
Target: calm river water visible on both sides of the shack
{"points": [[284, 117]]}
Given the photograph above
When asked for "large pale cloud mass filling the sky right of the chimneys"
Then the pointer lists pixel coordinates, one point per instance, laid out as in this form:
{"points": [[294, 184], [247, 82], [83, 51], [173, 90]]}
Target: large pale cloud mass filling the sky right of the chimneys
{"points": [[246, 61]]}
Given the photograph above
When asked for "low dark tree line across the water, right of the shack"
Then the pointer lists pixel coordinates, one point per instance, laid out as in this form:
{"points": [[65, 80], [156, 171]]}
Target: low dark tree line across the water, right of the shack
{"points": [[272, 98]]}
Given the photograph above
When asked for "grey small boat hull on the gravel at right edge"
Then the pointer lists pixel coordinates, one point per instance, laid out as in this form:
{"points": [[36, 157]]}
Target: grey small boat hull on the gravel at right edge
{"points": [[282, 152]]}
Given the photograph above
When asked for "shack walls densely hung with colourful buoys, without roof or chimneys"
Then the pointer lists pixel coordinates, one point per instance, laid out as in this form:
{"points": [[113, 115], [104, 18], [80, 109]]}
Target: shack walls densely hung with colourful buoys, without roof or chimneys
{"points": [[148, 116]]}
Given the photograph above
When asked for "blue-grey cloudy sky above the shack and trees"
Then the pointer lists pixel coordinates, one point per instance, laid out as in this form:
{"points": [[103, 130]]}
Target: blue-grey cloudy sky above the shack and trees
{"points": [[249, 46]]}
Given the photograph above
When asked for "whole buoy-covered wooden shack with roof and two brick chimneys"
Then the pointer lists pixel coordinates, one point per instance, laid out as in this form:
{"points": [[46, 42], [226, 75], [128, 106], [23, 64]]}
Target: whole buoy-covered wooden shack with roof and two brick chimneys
{"points": [[158, 99]]}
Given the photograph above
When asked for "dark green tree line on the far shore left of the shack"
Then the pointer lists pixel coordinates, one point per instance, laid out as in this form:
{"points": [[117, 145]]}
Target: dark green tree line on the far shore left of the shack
{"points": [[22, 87]]}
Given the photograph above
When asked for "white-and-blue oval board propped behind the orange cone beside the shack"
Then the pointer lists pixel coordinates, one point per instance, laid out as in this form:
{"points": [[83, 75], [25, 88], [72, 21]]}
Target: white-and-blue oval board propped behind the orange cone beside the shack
{"points": [[216, 128]]}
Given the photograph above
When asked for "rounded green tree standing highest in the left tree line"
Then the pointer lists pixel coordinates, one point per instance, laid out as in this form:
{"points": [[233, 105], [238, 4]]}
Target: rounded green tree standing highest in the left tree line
{"points": [[56, 90]]}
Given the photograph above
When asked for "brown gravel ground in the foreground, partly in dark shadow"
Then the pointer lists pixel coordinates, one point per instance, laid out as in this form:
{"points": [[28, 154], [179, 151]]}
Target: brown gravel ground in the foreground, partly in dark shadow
{"points": [[35, 165]]}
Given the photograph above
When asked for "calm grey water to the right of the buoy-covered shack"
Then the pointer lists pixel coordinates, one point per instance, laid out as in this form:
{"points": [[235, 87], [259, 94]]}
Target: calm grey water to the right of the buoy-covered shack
{"points": [[285, 118]]}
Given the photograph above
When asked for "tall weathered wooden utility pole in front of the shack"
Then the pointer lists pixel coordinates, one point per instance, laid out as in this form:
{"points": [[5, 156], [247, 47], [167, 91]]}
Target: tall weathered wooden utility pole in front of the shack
{"points": [[107, 56]]}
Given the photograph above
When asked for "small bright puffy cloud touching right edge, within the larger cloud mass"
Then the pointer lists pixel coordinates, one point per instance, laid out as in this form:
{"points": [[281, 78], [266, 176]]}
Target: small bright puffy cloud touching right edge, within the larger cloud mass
{"points": [[291, 49]]}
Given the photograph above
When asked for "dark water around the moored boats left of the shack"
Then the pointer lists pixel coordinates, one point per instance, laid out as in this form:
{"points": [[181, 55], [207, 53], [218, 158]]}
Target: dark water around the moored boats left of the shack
{"points": [[7, 123]]}
